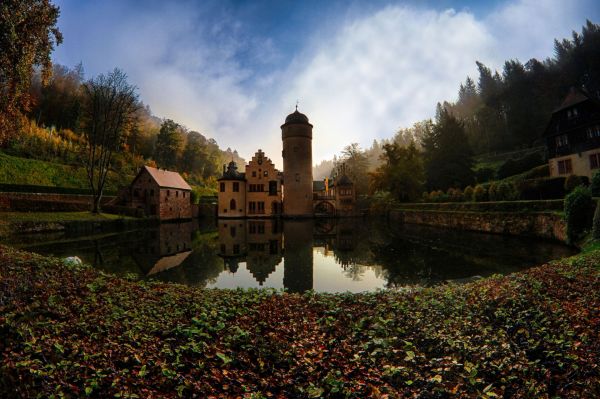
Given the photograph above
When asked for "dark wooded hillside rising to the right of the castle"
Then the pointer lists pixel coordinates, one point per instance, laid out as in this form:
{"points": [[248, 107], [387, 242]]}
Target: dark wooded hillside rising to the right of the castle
{"points": [[491, 132]]}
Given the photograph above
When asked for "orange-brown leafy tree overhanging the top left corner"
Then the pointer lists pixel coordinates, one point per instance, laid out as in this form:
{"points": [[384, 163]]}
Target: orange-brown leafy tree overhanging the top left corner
{"points": [[28, 34]]}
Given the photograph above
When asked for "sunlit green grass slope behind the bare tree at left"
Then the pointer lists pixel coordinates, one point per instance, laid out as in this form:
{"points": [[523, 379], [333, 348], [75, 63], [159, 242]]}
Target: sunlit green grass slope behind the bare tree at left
{"points": [[16, 170]]}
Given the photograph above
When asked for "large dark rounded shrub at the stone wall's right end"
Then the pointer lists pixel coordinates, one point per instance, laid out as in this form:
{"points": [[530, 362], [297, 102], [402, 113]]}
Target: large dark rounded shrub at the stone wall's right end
{"points": [[578, 205]]}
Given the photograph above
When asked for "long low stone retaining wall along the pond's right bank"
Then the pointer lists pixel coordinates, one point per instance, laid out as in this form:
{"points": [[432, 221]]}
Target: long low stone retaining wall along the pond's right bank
{"points": [[534, 224]]}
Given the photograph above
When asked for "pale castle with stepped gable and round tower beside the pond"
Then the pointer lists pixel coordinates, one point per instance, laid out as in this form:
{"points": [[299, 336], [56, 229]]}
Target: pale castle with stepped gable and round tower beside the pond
{"points": [[263, 191]]}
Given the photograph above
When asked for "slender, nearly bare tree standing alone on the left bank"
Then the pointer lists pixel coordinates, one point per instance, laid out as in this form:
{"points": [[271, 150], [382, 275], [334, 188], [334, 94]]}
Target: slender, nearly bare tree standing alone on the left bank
{"points": [[110, 104]]}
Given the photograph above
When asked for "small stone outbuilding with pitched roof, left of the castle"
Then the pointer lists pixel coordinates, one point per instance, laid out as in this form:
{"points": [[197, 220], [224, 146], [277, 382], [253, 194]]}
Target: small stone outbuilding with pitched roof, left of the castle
{"points": [[161, 193]]}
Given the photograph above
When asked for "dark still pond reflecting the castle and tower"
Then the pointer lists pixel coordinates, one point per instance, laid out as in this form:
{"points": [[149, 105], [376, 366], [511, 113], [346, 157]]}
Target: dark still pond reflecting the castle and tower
{"points": [[323, 255]]}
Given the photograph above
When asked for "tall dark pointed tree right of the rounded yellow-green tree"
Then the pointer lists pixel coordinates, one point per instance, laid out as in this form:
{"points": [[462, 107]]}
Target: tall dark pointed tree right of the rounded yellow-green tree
{"points": [[448, 156]]}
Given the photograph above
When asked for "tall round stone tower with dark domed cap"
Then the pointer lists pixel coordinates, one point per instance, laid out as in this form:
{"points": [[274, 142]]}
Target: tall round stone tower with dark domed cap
{"points": [[296, 134]]}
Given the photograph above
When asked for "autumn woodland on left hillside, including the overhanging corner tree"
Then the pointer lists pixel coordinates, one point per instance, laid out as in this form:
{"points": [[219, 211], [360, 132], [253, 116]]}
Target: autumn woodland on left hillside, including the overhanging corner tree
{"points": [[45, 109]]}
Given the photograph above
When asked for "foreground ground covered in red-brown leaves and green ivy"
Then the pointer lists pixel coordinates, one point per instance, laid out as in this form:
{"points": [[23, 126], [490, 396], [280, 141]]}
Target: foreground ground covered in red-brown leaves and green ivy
{"points": [[74, 332]]}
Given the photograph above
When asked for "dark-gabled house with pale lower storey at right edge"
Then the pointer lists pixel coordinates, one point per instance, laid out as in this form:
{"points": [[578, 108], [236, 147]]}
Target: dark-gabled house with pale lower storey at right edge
{"points": [[573, 136]]}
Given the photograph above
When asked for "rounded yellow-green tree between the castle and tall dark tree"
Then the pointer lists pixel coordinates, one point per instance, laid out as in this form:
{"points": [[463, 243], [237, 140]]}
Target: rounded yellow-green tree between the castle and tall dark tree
{"points": [[401, 173]]}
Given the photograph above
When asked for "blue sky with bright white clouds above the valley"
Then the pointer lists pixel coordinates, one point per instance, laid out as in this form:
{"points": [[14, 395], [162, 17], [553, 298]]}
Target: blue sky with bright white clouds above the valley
{"points": [[360, 70]]}
